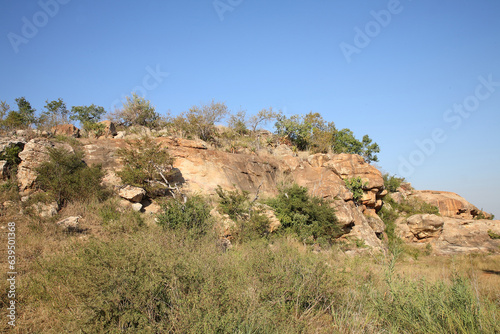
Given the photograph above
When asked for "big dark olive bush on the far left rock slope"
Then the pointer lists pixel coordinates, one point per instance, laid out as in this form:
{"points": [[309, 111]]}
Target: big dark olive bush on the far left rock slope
{"points": [[67, 178]]}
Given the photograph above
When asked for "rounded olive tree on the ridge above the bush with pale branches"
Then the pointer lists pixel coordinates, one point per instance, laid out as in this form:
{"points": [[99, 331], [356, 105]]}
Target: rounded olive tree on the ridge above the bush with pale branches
{"points": [[138, 111]]}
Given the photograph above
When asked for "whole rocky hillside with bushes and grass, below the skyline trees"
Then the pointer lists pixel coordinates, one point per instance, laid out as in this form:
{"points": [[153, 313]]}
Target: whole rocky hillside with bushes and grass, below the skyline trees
{"points": [[205, 247]]}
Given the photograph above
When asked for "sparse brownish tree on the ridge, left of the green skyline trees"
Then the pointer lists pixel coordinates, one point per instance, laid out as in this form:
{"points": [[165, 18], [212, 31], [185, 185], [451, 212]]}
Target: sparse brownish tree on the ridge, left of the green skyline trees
{"points": [[202, 119]]}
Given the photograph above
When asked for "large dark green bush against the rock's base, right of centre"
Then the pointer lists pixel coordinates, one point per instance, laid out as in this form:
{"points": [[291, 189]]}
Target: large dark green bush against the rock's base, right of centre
{"points": [[308, 217]]}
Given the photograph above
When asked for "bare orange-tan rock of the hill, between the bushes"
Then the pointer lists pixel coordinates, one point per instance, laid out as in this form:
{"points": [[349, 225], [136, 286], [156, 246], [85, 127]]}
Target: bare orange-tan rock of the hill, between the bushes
{"points": [[199, 168]]}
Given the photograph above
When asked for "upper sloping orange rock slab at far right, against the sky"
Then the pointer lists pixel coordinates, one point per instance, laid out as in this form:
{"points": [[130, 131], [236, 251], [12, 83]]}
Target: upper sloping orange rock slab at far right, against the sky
{"points": [[449, 204]]}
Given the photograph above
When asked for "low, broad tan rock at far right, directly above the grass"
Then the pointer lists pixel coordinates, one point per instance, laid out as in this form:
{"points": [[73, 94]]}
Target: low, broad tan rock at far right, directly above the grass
{"points": [[450, 235]]}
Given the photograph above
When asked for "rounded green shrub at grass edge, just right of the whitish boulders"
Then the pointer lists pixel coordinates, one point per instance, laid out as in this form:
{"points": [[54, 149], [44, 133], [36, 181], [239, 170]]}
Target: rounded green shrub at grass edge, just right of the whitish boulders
{"points": [[192, 214]]}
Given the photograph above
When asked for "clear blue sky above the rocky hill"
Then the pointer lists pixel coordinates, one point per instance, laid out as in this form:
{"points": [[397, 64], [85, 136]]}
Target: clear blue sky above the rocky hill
{"points": [[421, 77]]}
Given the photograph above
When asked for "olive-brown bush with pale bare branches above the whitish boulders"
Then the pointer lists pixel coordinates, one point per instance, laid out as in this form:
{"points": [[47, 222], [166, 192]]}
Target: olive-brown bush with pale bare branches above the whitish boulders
{"points": [[144, 163]]}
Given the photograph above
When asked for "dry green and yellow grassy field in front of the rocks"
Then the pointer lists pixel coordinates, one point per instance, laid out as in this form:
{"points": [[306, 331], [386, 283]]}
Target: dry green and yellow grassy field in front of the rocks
{"points": [[125, 274]]}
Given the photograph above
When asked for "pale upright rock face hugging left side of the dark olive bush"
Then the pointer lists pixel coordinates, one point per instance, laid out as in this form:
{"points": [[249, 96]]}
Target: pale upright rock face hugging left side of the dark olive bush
{"points": [[35, 152]]}
